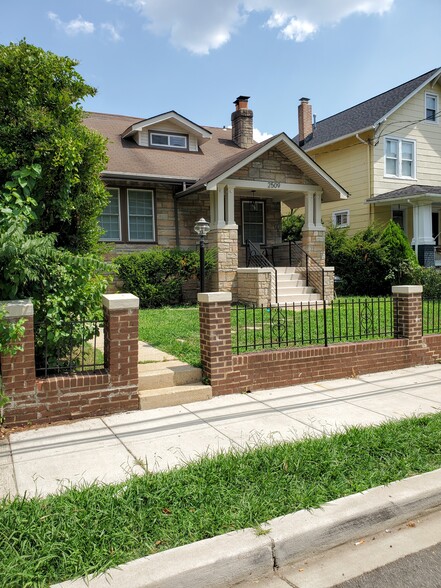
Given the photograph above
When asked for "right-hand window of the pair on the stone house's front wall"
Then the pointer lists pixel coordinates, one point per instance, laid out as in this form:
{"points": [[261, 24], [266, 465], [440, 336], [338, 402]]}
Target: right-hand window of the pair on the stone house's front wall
{"points": [[140, 212]]}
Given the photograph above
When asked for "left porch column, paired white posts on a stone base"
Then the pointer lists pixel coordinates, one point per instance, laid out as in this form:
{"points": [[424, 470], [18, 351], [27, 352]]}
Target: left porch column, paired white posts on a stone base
{"points": [[223, 237]]}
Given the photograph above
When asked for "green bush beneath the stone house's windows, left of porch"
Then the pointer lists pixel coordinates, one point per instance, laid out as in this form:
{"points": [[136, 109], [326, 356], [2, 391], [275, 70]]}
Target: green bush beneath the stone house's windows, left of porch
{"points": [[156, 276]]}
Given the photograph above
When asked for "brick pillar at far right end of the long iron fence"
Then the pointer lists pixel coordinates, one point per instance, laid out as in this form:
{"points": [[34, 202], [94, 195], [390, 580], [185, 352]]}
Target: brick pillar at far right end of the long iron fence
{"points": [[408, 313]]}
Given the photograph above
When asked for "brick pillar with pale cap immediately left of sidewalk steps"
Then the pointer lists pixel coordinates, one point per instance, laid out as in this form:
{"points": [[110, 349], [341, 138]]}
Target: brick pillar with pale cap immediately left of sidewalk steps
{"points": [[121, 338]]}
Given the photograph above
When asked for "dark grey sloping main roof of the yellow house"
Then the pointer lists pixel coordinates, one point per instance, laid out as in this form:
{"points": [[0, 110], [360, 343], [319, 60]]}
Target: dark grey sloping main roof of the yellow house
{"points": [[366, 115]]}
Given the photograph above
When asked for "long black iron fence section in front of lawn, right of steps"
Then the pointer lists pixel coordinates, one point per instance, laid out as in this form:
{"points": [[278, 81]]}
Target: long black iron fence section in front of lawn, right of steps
{"points": [[312, 323]]}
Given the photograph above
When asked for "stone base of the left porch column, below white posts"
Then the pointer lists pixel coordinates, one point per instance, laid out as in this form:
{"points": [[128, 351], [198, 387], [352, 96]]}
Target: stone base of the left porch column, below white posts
{"points": [[224, 278]]}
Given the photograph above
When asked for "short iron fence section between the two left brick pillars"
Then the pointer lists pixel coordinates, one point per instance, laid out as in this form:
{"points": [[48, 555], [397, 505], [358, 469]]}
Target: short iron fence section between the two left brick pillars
{"points": [[74, 347]]}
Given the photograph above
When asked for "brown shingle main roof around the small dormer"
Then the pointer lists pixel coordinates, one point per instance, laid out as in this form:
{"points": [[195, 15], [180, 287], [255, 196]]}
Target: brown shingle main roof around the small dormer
{"points": [[126, 157]]}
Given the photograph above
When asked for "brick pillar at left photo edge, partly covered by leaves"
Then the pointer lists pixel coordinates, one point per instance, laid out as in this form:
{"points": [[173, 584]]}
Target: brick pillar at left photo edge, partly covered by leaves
{"points": [[18, 371]]}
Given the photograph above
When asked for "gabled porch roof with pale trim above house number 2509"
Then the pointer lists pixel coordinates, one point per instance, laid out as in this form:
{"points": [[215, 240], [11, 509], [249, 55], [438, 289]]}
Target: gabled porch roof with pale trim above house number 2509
{"points": [[219, 173]]}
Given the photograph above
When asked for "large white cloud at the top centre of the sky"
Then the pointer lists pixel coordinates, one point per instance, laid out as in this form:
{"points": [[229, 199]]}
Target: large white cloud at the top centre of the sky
{"points": [[203, 25]]}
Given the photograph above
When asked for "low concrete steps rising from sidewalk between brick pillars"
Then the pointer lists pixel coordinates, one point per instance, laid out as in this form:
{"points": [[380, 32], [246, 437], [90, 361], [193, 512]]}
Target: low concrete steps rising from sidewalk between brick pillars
{"points": [[169, 383]]}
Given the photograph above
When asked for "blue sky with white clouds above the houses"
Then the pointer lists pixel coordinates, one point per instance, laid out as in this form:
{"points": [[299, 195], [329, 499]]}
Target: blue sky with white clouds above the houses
{"points": [[146, 57]]}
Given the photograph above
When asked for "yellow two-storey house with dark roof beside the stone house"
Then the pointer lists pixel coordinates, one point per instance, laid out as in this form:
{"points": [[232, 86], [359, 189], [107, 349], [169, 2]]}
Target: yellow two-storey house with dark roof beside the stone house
{"points": [[386, 152]]}
